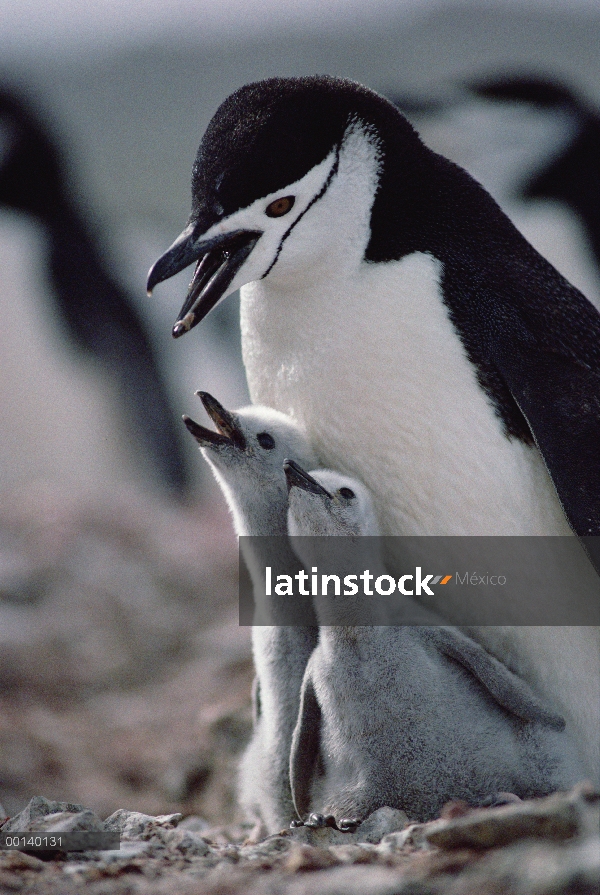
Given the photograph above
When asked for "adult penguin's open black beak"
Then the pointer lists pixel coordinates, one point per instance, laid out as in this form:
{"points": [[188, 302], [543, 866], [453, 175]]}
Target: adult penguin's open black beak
{"points": [[217, 262]]}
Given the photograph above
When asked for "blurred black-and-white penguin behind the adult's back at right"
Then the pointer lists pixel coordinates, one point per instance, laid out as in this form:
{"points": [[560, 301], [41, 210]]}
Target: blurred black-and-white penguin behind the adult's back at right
{"points": [[507, 143]]}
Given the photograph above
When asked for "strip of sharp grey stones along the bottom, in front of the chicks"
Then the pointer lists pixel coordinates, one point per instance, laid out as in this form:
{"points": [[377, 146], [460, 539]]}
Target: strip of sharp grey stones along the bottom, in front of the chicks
{"points": [[543, 847]]}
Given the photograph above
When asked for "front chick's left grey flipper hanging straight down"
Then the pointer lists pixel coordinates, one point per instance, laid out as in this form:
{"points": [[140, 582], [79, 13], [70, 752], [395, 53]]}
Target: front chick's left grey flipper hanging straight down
{"points": [[305, 747]]}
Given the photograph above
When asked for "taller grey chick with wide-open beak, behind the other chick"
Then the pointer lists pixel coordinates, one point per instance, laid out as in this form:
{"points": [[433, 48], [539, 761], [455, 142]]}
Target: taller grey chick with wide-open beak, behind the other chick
{"points": [[246, 455]]}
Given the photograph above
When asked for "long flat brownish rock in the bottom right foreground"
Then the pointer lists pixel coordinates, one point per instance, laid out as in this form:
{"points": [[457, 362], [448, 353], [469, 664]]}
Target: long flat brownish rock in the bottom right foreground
{"points": [[556, 818]]}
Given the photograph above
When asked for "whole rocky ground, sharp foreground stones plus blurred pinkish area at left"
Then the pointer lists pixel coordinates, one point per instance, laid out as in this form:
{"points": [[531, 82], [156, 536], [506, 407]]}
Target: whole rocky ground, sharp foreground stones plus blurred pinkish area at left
{"points": [[124, 699]]}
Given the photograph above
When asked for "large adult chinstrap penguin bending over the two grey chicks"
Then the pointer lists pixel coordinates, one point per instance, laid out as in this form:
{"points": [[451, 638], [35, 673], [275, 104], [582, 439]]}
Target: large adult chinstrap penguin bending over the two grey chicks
{"points": [[394, 311]]}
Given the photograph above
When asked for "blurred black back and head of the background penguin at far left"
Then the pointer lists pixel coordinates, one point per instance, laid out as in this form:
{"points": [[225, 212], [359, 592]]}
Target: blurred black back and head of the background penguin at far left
{"points": [[96, 313]]}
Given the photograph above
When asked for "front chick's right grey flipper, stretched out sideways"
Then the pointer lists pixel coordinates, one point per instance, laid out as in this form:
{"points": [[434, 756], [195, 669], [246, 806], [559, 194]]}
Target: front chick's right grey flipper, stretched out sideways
{"points": [[508, 690]]}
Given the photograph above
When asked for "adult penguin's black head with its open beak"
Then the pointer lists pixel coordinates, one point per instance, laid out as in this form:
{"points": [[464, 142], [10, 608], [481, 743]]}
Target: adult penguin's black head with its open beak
{"points": [[265, 138]]}
